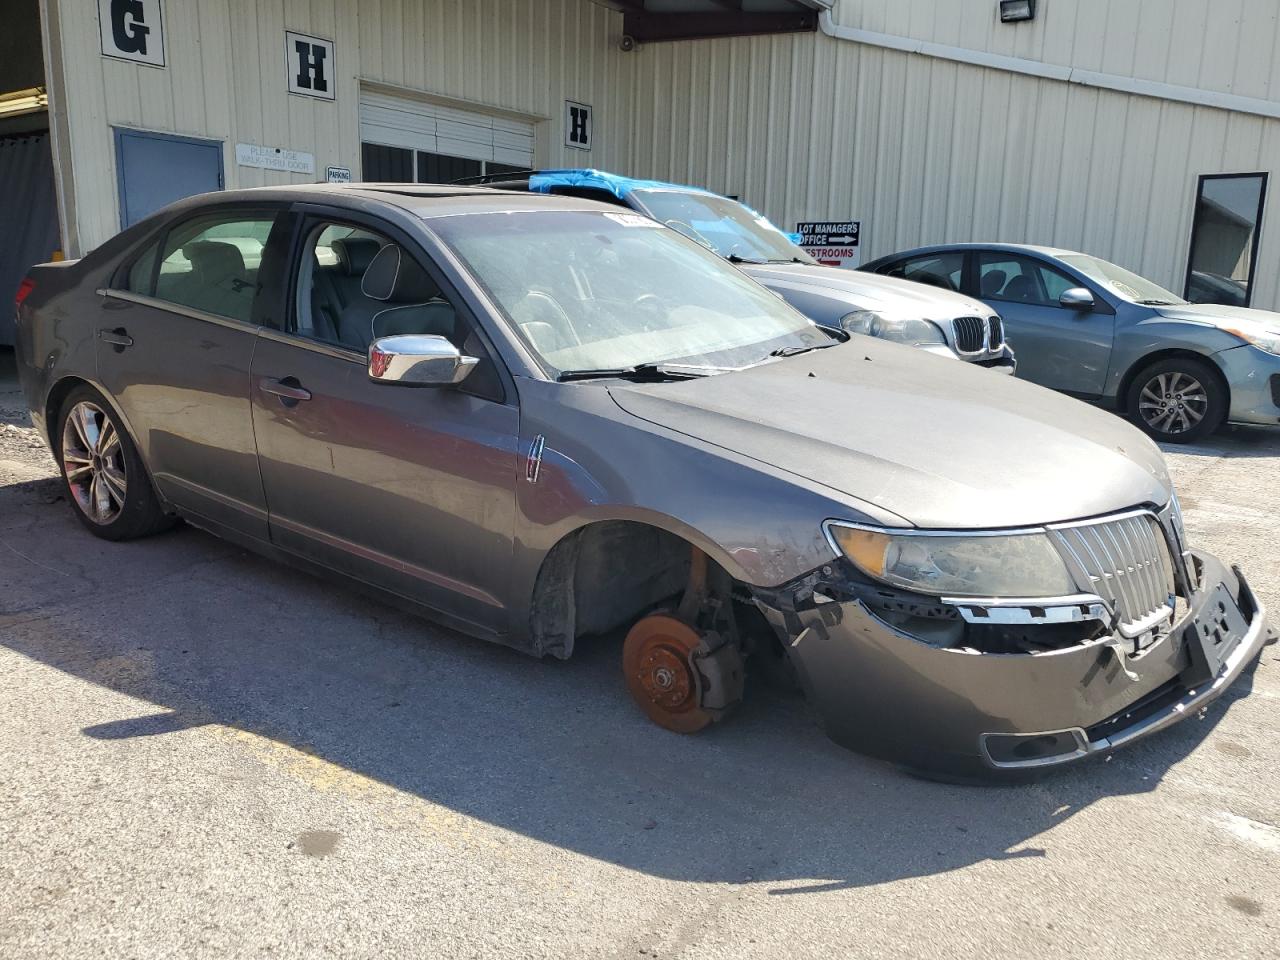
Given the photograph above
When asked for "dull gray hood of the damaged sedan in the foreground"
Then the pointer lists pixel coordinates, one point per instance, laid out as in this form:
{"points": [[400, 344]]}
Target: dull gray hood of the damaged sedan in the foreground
{"points": [[945, 446]]}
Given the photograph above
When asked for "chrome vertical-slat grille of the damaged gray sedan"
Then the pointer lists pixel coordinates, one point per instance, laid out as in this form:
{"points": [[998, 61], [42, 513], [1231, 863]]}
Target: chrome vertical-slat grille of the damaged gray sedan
{"points": [[1127, 561]]}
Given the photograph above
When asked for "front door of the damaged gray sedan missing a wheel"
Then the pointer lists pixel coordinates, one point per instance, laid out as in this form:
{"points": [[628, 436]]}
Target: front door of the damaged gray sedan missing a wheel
{"points": [[412, 490]]}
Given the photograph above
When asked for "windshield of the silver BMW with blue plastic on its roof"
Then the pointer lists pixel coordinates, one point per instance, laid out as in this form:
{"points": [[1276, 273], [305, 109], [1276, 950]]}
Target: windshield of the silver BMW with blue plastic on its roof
{"points": [[724, 225]]}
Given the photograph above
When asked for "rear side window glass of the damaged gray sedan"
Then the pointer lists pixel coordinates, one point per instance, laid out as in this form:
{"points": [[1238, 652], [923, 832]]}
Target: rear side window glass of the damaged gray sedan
{"points": [[208, 264]]}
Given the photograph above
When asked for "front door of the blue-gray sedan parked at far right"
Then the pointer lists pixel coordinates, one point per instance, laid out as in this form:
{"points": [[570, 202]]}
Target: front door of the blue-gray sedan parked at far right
{"points": [[1067, 350]]}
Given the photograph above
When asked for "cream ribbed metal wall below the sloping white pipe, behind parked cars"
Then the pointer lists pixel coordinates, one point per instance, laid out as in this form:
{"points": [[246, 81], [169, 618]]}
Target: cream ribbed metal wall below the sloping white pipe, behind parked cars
{"points": [[929, 152]]}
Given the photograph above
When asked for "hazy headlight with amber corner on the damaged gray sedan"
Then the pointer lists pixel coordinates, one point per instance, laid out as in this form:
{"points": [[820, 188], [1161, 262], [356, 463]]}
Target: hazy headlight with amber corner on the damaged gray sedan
{"points": [[1004, 565]]}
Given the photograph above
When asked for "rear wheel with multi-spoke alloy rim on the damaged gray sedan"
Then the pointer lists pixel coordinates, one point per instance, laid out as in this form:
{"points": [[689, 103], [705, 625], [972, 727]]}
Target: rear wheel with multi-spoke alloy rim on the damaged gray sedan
{"points": [[106, 479]]}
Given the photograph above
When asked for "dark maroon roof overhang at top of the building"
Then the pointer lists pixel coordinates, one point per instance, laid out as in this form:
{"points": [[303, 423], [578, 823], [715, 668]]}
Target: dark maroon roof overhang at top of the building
{"points": [[653, 21]]}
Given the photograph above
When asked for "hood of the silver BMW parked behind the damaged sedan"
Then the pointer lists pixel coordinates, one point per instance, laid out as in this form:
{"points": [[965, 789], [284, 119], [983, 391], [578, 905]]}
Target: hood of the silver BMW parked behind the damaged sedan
{"points": [[889, 295]]}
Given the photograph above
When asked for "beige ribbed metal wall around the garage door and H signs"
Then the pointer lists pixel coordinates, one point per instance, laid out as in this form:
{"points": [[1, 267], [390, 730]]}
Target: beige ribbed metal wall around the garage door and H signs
{"points": [[226, 80]]}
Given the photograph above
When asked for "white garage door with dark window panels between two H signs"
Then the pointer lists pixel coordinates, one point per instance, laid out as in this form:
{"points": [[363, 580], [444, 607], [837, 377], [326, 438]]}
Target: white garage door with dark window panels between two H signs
{"points": [[408, 140]]}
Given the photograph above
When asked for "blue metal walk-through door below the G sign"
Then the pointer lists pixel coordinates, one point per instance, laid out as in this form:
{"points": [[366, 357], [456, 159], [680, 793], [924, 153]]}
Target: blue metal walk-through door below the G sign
{"points": [[156, 170]]}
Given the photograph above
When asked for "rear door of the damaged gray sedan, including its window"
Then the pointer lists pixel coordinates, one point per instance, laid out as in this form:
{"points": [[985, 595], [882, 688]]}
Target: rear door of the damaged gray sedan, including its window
{"points": [[176, 335]]}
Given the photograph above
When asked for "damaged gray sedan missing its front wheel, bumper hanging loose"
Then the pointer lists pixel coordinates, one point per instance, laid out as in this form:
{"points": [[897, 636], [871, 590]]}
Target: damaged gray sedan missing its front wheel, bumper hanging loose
{"points": [[552, 423]]}
